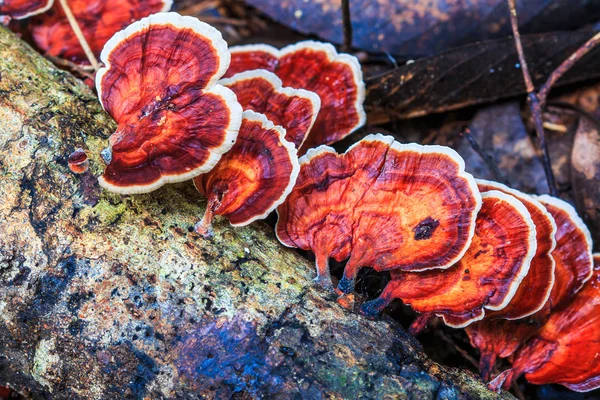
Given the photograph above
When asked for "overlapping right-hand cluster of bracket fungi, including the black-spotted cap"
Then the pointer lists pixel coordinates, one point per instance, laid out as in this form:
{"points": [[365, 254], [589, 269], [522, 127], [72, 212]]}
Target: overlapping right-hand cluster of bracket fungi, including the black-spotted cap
{"points": [[512, 268]]}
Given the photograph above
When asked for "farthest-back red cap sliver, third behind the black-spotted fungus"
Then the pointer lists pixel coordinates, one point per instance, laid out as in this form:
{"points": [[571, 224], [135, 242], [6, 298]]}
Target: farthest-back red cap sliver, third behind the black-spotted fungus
{"points": [[573, 252]]}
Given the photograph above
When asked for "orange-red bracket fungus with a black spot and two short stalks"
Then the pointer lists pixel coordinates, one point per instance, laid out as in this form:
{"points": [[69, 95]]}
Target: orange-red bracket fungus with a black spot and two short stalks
{"points": [[383, 204]]}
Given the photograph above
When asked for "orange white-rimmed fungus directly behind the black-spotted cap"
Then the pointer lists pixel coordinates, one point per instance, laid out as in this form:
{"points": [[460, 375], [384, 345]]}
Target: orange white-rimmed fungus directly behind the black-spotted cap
{"points": [[487, 277]]}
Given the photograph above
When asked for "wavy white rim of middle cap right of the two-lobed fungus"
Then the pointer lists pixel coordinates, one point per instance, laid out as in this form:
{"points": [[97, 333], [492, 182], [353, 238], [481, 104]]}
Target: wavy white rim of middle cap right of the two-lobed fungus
{"points": [[277, 86]]}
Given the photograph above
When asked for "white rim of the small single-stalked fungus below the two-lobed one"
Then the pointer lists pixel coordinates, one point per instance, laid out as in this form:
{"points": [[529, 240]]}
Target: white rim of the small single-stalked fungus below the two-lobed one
{"points": [[293, 156]]}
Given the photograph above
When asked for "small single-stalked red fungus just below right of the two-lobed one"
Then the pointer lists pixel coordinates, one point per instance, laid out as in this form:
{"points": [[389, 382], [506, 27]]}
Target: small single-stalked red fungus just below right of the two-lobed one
{"points": [[253, 178]]}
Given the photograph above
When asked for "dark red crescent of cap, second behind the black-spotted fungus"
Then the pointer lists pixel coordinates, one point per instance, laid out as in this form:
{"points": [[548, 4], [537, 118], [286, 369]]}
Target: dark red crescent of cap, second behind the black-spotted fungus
{"points": [[537, 285]]}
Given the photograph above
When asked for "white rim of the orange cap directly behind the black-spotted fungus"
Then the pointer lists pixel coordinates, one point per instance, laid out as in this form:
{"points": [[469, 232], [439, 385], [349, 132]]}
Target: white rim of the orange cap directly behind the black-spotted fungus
{"points": [[516, 203]]}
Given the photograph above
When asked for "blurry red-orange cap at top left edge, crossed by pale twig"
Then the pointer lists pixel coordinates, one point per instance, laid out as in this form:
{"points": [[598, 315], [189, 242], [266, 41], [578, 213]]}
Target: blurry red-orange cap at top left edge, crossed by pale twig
{"points": [[98, 20]]}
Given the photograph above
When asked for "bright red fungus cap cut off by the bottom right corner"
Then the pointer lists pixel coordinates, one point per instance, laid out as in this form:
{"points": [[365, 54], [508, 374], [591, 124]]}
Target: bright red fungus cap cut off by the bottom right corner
{"points": [[565, 350]]}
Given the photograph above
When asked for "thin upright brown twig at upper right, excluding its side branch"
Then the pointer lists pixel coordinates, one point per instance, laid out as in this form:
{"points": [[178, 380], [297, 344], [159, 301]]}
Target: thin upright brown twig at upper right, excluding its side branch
{"points": [[533, 100]]}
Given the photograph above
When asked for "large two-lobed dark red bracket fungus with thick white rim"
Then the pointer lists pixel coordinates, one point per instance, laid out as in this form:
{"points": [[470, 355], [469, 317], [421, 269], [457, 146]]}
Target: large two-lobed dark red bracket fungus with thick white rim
{"points": [[159, 84]]}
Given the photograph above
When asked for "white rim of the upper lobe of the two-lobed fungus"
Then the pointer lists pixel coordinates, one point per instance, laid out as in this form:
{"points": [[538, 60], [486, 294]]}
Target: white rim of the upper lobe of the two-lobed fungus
{"points": [[178, 21]]}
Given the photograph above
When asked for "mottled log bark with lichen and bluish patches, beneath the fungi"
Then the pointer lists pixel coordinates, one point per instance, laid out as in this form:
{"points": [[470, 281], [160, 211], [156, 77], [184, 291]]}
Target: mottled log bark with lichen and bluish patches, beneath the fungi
{"points": [[105, 296]]}
